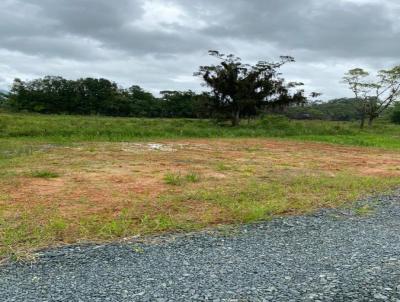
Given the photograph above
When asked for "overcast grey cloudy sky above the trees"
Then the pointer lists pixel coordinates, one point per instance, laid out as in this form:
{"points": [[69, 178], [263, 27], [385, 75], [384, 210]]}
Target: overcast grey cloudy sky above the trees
{"points": [[158, 44]]}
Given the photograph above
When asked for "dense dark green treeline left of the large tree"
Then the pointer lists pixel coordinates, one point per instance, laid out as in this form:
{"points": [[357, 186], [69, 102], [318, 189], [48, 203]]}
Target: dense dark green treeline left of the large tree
{"points": [[90, 96]]}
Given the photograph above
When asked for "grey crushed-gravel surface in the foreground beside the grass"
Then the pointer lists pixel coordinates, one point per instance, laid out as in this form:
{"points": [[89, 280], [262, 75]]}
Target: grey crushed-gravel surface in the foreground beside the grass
{"points": [[332, 255]]}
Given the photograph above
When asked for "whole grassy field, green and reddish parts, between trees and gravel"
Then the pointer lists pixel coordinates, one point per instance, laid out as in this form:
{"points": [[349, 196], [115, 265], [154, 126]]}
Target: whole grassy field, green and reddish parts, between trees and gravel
{"points": [[71, 179]]}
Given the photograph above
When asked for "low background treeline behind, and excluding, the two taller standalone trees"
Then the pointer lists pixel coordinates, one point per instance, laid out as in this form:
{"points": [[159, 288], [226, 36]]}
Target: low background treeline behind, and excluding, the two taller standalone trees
{"points": [[89, 96]]}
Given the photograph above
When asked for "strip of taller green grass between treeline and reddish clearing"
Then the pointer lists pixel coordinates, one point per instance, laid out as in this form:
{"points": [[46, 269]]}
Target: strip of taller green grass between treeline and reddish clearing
{"points": [[26, 130]]}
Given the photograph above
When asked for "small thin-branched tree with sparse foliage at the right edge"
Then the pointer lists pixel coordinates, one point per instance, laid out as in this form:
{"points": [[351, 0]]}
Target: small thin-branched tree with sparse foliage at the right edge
{"points": [[373, 97]]}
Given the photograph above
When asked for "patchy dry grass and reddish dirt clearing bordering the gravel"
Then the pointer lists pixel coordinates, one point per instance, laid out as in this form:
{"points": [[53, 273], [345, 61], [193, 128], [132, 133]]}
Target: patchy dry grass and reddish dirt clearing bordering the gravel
{"points": [[112, 190]]}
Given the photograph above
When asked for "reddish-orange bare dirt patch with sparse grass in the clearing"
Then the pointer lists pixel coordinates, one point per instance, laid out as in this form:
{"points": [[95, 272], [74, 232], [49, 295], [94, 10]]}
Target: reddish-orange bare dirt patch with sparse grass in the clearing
{"points": [[124, 170]]}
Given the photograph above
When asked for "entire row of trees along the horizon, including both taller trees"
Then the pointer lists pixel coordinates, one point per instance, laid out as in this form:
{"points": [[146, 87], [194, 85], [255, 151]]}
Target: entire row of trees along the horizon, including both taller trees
{"points": [[237, 91]]}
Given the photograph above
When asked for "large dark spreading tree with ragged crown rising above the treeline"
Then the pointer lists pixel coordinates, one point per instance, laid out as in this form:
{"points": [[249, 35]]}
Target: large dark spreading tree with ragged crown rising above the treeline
{"points": [[241, 89]]}
